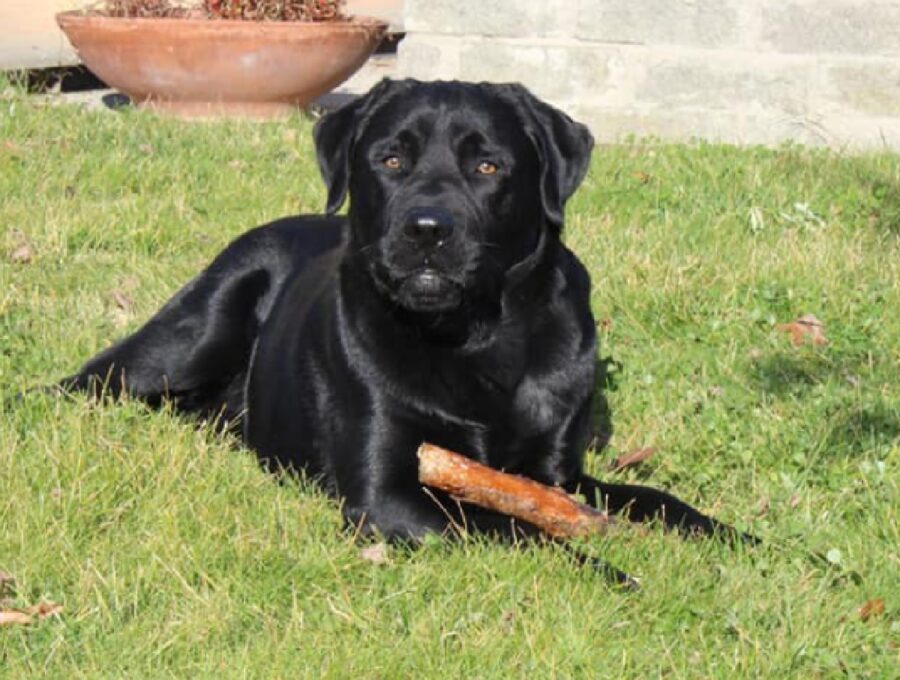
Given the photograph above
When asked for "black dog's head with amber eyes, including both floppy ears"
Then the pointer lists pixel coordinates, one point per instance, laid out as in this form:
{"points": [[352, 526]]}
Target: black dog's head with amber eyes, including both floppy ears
{"points": [[452, 185]]}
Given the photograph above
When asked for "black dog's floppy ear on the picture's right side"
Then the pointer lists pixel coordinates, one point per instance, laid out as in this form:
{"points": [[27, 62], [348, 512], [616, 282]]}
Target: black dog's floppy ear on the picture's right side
{"points": [[563, 146]]}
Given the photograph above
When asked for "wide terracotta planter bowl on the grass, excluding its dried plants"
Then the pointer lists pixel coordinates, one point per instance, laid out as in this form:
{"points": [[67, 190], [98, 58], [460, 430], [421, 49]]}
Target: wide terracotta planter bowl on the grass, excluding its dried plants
{"points": [[205, 67]]}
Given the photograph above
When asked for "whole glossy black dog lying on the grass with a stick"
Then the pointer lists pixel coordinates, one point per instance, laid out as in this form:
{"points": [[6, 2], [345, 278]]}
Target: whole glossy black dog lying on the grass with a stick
{"points": [[444, 308]]}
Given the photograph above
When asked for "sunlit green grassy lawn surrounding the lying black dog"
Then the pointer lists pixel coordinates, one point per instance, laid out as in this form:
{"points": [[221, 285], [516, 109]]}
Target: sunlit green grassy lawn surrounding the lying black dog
{"points": [[174, 555]]}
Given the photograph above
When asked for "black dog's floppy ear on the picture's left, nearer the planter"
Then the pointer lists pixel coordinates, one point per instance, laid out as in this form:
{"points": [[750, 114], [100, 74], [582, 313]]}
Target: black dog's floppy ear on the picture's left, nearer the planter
{"points": [[335, 135]]}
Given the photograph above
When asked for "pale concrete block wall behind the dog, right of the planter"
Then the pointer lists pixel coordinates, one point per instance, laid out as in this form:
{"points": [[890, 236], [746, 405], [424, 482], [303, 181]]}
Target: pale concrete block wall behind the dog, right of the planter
{"points": [[819, 72]]}
